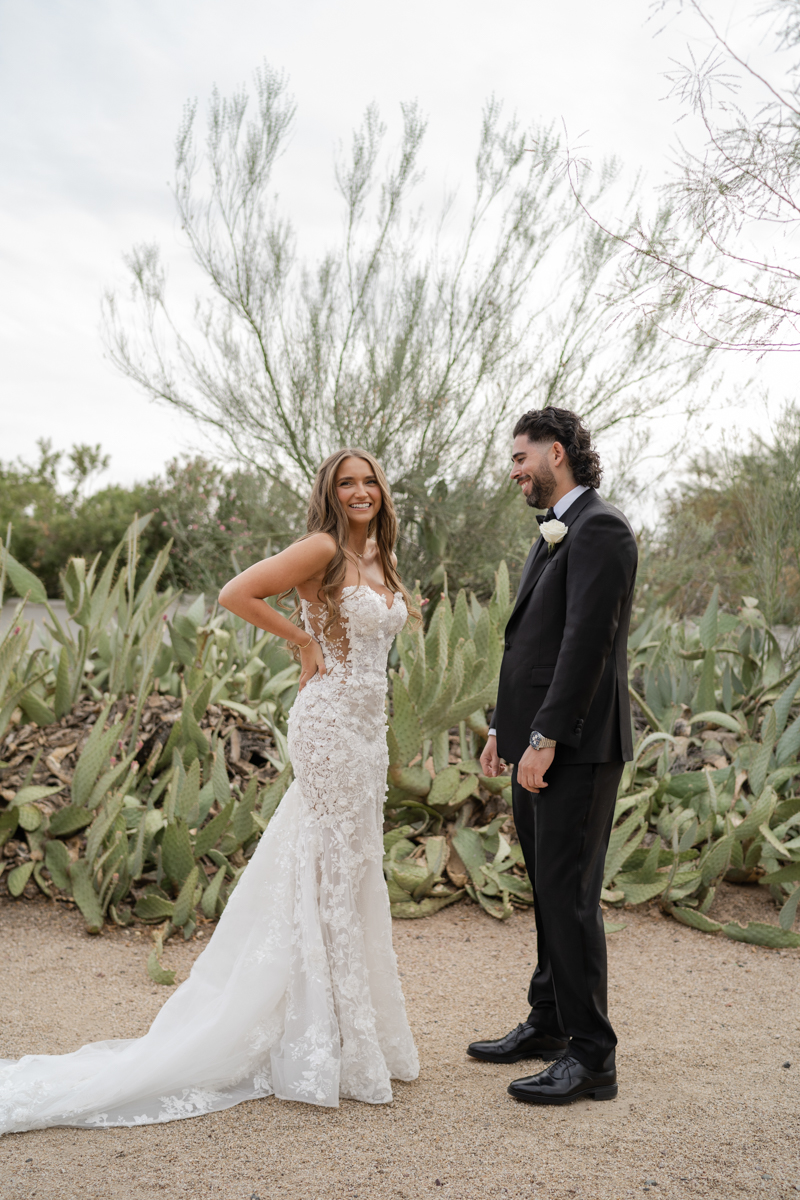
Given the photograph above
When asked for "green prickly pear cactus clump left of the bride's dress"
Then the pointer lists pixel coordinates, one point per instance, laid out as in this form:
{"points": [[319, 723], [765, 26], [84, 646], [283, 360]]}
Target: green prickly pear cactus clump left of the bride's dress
{"points": [[154, 827]]}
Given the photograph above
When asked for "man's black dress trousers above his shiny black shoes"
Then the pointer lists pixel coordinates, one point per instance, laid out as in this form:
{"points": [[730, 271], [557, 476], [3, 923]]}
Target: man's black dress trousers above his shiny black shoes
{"points": [[564, 835]]}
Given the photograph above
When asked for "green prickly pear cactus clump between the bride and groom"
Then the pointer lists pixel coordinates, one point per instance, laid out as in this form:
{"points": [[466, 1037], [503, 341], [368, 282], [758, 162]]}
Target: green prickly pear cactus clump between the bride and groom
{"points": [[446, 680]]}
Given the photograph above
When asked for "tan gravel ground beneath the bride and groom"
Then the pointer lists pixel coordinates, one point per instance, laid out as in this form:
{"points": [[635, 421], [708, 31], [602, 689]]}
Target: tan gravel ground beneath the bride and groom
{"points": [[707, 1107]]}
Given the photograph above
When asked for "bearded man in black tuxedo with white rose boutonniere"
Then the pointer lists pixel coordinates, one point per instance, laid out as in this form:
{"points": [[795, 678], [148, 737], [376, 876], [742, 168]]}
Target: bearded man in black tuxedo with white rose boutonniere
{"points": [[563, 717]]}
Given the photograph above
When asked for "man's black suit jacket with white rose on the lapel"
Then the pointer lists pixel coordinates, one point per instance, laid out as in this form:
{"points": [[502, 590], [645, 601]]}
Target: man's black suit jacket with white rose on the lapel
{"points": [[566, 665]]}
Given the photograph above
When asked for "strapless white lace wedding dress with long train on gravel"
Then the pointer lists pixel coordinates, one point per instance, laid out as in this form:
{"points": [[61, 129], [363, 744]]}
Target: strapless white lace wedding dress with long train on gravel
{"points": [[297, 994]]}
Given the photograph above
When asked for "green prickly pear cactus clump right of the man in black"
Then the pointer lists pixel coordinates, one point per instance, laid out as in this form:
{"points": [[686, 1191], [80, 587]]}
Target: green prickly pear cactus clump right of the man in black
{"points": [[711, 794]]}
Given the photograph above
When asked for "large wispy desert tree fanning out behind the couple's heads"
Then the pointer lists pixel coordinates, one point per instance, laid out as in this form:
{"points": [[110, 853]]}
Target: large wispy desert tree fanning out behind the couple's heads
{"points": [[420, 339]]}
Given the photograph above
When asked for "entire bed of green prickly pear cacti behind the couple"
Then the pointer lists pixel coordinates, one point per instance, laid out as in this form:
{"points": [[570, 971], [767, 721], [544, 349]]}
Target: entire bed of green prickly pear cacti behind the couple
{"points": [[160, 818]]}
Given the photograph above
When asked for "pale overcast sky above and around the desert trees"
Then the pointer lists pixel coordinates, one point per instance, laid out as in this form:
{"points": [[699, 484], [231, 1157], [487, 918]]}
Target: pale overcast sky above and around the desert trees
{"points": [[93, 95]]}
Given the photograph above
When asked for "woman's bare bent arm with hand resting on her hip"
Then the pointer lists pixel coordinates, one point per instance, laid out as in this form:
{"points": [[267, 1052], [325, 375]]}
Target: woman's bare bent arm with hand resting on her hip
{"points": [[245, 595]]}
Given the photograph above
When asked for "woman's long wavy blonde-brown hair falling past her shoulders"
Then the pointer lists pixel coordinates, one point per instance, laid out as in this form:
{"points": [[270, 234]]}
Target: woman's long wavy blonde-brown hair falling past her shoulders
{"points": [[327, 515]]}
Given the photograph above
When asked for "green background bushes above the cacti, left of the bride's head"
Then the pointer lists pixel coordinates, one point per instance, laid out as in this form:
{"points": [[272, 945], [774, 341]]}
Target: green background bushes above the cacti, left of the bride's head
{"points": [[213, 519]]}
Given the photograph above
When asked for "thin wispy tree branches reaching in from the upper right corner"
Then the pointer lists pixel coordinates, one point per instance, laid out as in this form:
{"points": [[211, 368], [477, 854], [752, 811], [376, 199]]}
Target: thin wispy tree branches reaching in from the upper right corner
{"points": [[723, 243]]}
